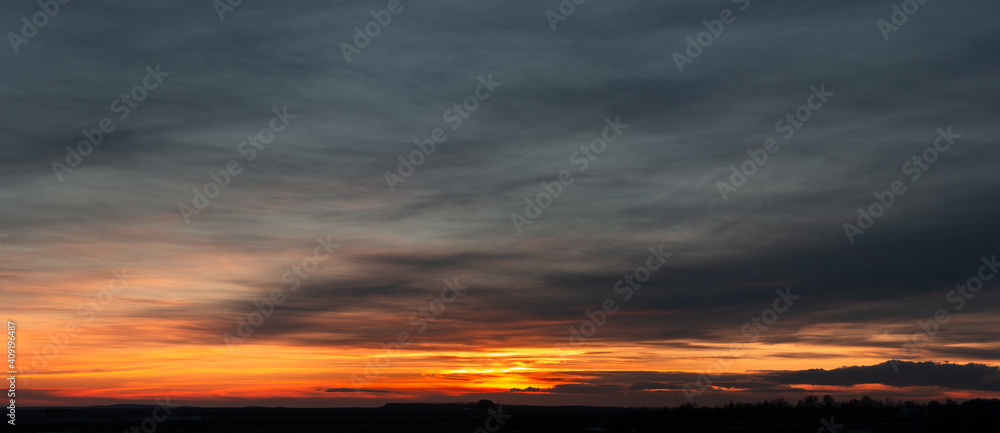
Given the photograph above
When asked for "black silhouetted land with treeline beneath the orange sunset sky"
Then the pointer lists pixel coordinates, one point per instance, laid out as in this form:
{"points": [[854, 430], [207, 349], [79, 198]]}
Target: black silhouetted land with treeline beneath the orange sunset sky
{"points": [[971, 416]]}
